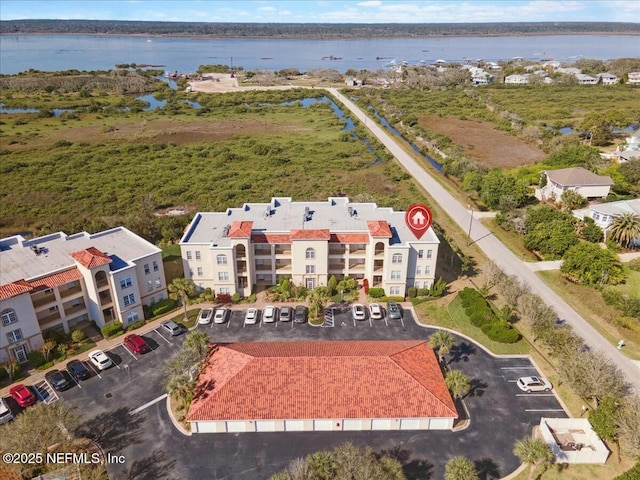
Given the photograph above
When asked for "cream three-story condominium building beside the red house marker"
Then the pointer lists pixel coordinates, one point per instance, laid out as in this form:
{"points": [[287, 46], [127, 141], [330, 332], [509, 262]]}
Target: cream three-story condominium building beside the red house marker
{"points": [[261, 243]]}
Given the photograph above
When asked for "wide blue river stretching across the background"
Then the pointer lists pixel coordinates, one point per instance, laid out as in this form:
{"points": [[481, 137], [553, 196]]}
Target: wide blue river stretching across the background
{"points": [[83, 52]]}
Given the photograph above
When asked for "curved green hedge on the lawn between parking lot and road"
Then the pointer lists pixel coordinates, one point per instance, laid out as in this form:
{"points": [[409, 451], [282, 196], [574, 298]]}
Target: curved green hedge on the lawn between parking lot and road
{"points": [[481, 316]]}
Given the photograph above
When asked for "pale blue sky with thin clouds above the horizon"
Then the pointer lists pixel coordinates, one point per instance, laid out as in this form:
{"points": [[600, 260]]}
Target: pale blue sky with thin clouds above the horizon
{"points": [[327, 11]]}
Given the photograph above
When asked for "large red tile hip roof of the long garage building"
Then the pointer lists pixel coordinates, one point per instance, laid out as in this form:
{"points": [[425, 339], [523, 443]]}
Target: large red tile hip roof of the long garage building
{"points": [[328, 379]]}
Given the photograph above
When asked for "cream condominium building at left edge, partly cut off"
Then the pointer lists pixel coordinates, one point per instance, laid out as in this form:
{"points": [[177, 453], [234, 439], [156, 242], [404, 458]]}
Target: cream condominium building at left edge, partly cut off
{"points": [[58, 281]]}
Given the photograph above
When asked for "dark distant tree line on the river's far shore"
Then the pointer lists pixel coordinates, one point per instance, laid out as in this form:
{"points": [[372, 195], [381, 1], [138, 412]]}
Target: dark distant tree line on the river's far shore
{"points": [[309, 30]]}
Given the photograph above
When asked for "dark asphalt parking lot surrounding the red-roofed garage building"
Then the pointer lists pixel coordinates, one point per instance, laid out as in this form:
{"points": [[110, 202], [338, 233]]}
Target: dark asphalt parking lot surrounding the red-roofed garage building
{"points": [[127, 414]]}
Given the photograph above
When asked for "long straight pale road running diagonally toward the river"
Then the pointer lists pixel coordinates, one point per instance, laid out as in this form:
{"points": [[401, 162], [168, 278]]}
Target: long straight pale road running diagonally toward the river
{"points": [[494, 249]]}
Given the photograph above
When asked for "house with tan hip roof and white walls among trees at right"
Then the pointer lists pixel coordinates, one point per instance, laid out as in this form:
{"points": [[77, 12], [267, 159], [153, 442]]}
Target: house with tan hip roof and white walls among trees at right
{"points": [[580, 180]]}
